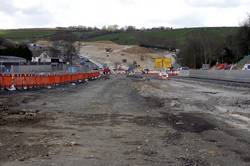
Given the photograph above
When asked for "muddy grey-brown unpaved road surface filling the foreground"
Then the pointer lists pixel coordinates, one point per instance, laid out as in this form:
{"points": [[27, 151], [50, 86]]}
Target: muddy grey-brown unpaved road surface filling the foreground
{"points": [[126, 121]]}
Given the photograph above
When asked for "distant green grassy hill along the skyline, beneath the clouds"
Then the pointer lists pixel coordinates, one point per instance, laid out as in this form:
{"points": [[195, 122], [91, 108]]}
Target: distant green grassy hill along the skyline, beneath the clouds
{"points": [[133, 37]]}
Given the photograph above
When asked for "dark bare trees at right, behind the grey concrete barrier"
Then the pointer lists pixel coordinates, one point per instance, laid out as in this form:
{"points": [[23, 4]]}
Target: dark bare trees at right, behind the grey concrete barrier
{"points": [[204, 48]]}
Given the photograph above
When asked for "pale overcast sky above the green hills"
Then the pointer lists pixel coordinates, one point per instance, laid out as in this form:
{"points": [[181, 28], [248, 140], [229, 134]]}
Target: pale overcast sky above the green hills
{"points": [[140, 13]]}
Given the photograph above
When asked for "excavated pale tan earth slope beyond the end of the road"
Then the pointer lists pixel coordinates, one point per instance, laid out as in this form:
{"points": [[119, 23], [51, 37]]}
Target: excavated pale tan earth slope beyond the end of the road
{"points": [[120, 54]]}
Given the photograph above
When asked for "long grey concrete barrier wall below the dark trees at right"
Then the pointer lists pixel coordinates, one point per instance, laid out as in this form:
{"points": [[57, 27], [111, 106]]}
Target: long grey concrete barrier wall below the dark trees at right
{"points": [[224, 75]]}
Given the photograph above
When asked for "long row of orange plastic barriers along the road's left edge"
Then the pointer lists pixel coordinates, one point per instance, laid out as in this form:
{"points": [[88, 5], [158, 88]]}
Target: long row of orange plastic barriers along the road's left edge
{"points": [[43, 80]]}
